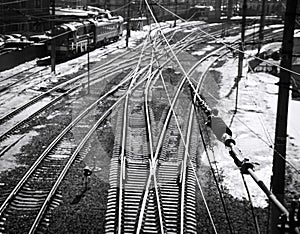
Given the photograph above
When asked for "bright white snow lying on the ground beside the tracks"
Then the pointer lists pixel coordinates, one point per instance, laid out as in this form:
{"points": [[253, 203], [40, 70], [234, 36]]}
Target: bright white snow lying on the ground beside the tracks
{"points": [[253, 125]]}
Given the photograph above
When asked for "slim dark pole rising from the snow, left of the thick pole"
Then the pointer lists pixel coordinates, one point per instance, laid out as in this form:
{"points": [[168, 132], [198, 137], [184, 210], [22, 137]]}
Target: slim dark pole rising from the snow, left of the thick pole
{"points": [[241, 53]]}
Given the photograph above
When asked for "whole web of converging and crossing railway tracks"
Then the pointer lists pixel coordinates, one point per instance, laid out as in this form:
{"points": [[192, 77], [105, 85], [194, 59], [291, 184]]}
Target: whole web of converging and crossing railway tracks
{"points": [[156, 101]]}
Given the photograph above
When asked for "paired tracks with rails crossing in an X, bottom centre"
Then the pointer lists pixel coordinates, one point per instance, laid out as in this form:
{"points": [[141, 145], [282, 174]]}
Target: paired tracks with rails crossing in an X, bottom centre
{"points": [[146, 184]]}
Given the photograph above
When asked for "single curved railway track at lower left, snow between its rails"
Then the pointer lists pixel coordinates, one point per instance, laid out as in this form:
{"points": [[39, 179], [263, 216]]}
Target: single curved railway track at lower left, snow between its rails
{"points": [[37, 190]]}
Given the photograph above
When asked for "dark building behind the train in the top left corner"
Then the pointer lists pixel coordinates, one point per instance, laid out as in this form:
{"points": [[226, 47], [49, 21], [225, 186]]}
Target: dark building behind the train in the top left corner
{"points": [[24, 16]]}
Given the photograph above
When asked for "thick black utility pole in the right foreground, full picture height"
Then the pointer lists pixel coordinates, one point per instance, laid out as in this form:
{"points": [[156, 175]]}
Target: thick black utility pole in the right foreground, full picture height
{"points": [[278, 177]]}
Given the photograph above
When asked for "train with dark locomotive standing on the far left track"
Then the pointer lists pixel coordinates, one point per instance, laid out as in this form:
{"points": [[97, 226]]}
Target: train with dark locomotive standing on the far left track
{"points": [[74, 38]]}
